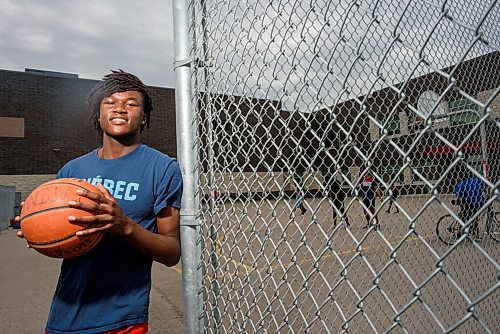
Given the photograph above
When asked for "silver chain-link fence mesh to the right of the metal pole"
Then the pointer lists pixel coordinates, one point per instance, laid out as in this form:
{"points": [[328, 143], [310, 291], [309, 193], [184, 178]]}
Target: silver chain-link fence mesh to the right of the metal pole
{"points": [[332, 138]]}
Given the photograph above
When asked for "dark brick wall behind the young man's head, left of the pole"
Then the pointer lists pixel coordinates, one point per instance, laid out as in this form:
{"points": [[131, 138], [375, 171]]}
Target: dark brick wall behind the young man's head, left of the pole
{"points": [[55, 118]]}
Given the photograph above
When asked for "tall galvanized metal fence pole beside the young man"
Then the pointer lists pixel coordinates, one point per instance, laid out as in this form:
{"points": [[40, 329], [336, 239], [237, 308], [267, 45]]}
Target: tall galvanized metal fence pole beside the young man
{"points": [[187, 151]]}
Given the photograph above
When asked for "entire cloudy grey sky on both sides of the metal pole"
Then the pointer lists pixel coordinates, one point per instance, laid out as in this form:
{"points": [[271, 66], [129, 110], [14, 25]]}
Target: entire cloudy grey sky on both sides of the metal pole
{"points": [[305, 53]]}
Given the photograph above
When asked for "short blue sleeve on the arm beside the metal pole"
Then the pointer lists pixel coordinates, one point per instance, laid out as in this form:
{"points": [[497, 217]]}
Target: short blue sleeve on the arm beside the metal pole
{"points": [[169, 188]]}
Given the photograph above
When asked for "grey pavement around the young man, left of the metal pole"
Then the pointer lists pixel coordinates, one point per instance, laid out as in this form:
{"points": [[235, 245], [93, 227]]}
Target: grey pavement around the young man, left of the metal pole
{"points": [[28, 280]]}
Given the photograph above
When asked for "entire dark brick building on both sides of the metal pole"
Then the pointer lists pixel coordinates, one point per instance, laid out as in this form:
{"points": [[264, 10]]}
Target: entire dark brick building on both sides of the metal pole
{"points": [[43, 124]]}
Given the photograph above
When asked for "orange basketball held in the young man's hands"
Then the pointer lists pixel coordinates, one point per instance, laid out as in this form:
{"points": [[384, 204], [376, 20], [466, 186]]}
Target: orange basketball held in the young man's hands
{"points": [[44, 219]]}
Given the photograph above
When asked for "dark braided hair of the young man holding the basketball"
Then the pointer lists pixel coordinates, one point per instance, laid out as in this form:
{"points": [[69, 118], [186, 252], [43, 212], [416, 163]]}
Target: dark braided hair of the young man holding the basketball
{"points": [[117, 82]]}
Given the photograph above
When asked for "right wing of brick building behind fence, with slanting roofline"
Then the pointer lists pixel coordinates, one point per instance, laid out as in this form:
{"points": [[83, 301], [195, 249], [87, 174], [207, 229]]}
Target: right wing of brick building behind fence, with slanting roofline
{"points": [[385, 123]]}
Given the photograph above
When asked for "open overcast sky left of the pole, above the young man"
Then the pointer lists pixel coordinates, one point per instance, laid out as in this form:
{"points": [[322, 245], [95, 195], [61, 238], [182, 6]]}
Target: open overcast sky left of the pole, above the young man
{"points": [[89, 37]]}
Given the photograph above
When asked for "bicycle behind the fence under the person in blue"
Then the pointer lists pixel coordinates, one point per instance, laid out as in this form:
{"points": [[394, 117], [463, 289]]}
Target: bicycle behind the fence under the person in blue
{"points": [[449, 230]]}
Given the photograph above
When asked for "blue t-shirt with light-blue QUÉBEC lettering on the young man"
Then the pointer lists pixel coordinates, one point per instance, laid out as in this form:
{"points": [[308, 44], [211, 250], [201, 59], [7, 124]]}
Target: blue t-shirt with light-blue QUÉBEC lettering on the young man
{"points": [[109, 286]]}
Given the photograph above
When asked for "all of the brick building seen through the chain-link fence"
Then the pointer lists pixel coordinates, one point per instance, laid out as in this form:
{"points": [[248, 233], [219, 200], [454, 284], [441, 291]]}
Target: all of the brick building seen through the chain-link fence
{"points": [[406, 145]]}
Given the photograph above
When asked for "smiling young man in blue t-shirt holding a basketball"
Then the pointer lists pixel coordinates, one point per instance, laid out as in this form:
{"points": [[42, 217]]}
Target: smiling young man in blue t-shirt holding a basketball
{"points": [[137, 208]]}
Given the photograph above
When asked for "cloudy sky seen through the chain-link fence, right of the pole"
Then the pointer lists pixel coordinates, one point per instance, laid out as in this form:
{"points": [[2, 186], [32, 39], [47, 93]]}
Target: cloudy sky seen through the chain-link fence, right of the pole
{"points": [[310, 54]]}
